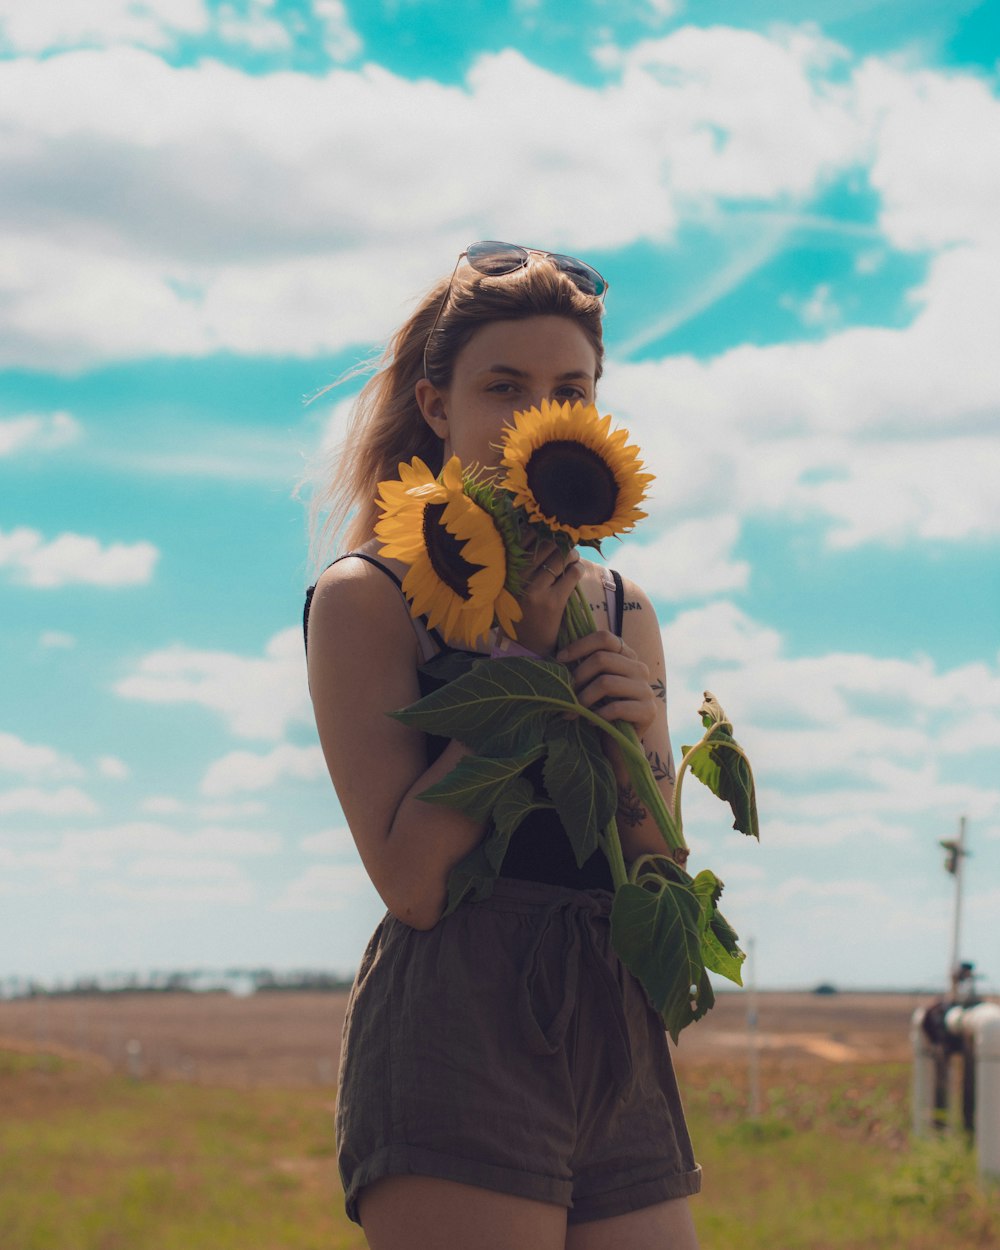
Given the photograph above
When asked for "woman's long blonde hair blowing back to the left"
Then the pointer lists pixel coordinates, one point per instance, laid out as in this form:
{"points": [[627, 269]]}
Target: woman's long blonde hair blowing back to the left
{"points": [[387, 427]]}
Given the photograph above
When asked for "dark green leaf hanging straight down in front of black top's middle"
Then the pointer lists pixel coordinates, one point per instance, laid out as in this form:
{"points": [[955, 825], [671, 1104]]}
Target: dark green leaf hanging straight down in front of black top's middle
{"points": [[581, 782]]}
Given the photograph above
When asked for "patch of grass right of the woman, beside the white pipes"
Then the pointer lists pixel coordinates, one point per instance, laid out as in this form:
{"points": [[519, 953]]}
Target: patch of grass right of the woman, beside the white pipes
{"points": [[829, 1163]]}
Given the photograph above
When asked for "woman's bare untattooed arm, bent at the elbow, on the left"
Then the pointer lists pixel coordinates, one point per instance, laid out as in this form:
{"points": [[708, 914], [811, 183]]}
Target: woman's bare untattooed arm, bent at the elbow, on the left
{"points": [[362, 667]]}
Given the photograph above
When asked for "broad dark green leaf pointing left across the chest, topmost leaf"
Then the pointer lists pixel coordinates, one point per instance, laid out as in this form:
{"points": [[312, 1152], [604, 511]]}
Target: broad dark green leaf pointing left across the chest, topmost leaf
{"points": [[498, 707]]}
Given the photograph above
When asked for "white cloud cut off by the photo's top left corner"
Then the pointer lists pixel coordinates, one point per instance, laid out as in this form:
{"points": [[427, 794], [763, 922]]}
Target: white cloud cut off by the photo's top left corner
{"points": [[47, 26]]}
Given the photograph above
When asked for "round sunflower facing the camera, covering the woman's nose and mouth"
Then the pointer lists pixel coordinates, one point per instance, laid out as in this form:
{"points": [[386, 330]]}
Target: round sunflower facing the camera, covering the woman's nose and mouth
{"points": [[571, 473]]}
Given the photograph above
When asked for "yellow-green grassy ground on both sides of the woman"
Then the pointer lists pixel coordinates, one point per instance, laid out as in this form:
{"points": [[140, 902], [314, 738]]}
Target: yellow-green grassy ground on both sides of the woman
{"points": [[93, 1161]]}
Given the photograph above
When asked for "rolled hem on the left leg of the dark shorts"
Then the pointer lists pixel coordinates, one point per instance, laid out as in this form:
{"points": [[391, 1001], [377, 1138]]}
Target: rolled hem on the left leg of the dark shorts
{"points": [[403, 1161]]}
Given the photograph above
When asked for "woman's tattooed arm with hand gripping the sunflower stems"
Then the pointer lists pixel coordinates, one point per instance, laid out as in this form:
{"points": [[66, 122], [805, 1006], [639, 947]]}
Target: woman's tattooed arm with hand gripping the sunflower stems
{"points": [[631, 684]]}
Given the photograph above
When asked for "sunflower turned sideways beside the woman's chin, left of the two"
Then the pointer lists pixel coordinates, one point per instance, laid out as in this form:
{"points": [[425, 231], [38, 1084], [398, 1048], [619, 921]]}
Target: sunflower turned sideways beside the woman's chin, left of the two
{"points": [[458, 558]]}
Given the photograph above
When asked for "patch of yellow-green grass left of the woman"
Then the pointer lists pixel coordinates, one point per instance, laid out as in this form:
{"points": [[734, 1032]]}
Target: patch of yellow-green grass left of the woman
{"points": [[91, 1162]]}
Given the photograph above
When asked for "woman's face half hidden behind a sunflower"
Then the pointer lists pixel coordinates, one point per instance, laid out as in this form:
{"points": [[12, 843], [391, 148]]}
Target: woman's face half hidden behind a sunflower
{"points": [[507, 367]]}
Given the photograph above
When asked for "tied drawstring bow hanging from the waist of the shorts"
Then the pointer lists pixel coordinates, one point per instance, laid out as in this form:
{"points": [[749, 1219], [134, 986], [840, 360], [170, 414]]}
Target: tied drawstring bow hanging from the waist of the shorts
{"points": [[568, 943]]}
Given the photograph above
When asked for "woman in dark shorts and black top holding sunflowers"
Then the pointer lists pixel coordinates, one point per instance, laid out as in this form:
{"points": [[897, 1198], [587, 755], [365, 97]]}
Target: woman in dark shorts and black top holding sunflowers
{"points": [[504, 1083]]}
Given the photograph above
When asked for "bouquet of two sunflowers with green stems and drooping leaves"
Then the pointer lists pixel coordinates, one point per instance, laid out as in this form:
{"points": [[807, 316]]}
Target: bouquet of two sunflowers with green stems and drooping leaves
{"points": [[467, 538]]}
